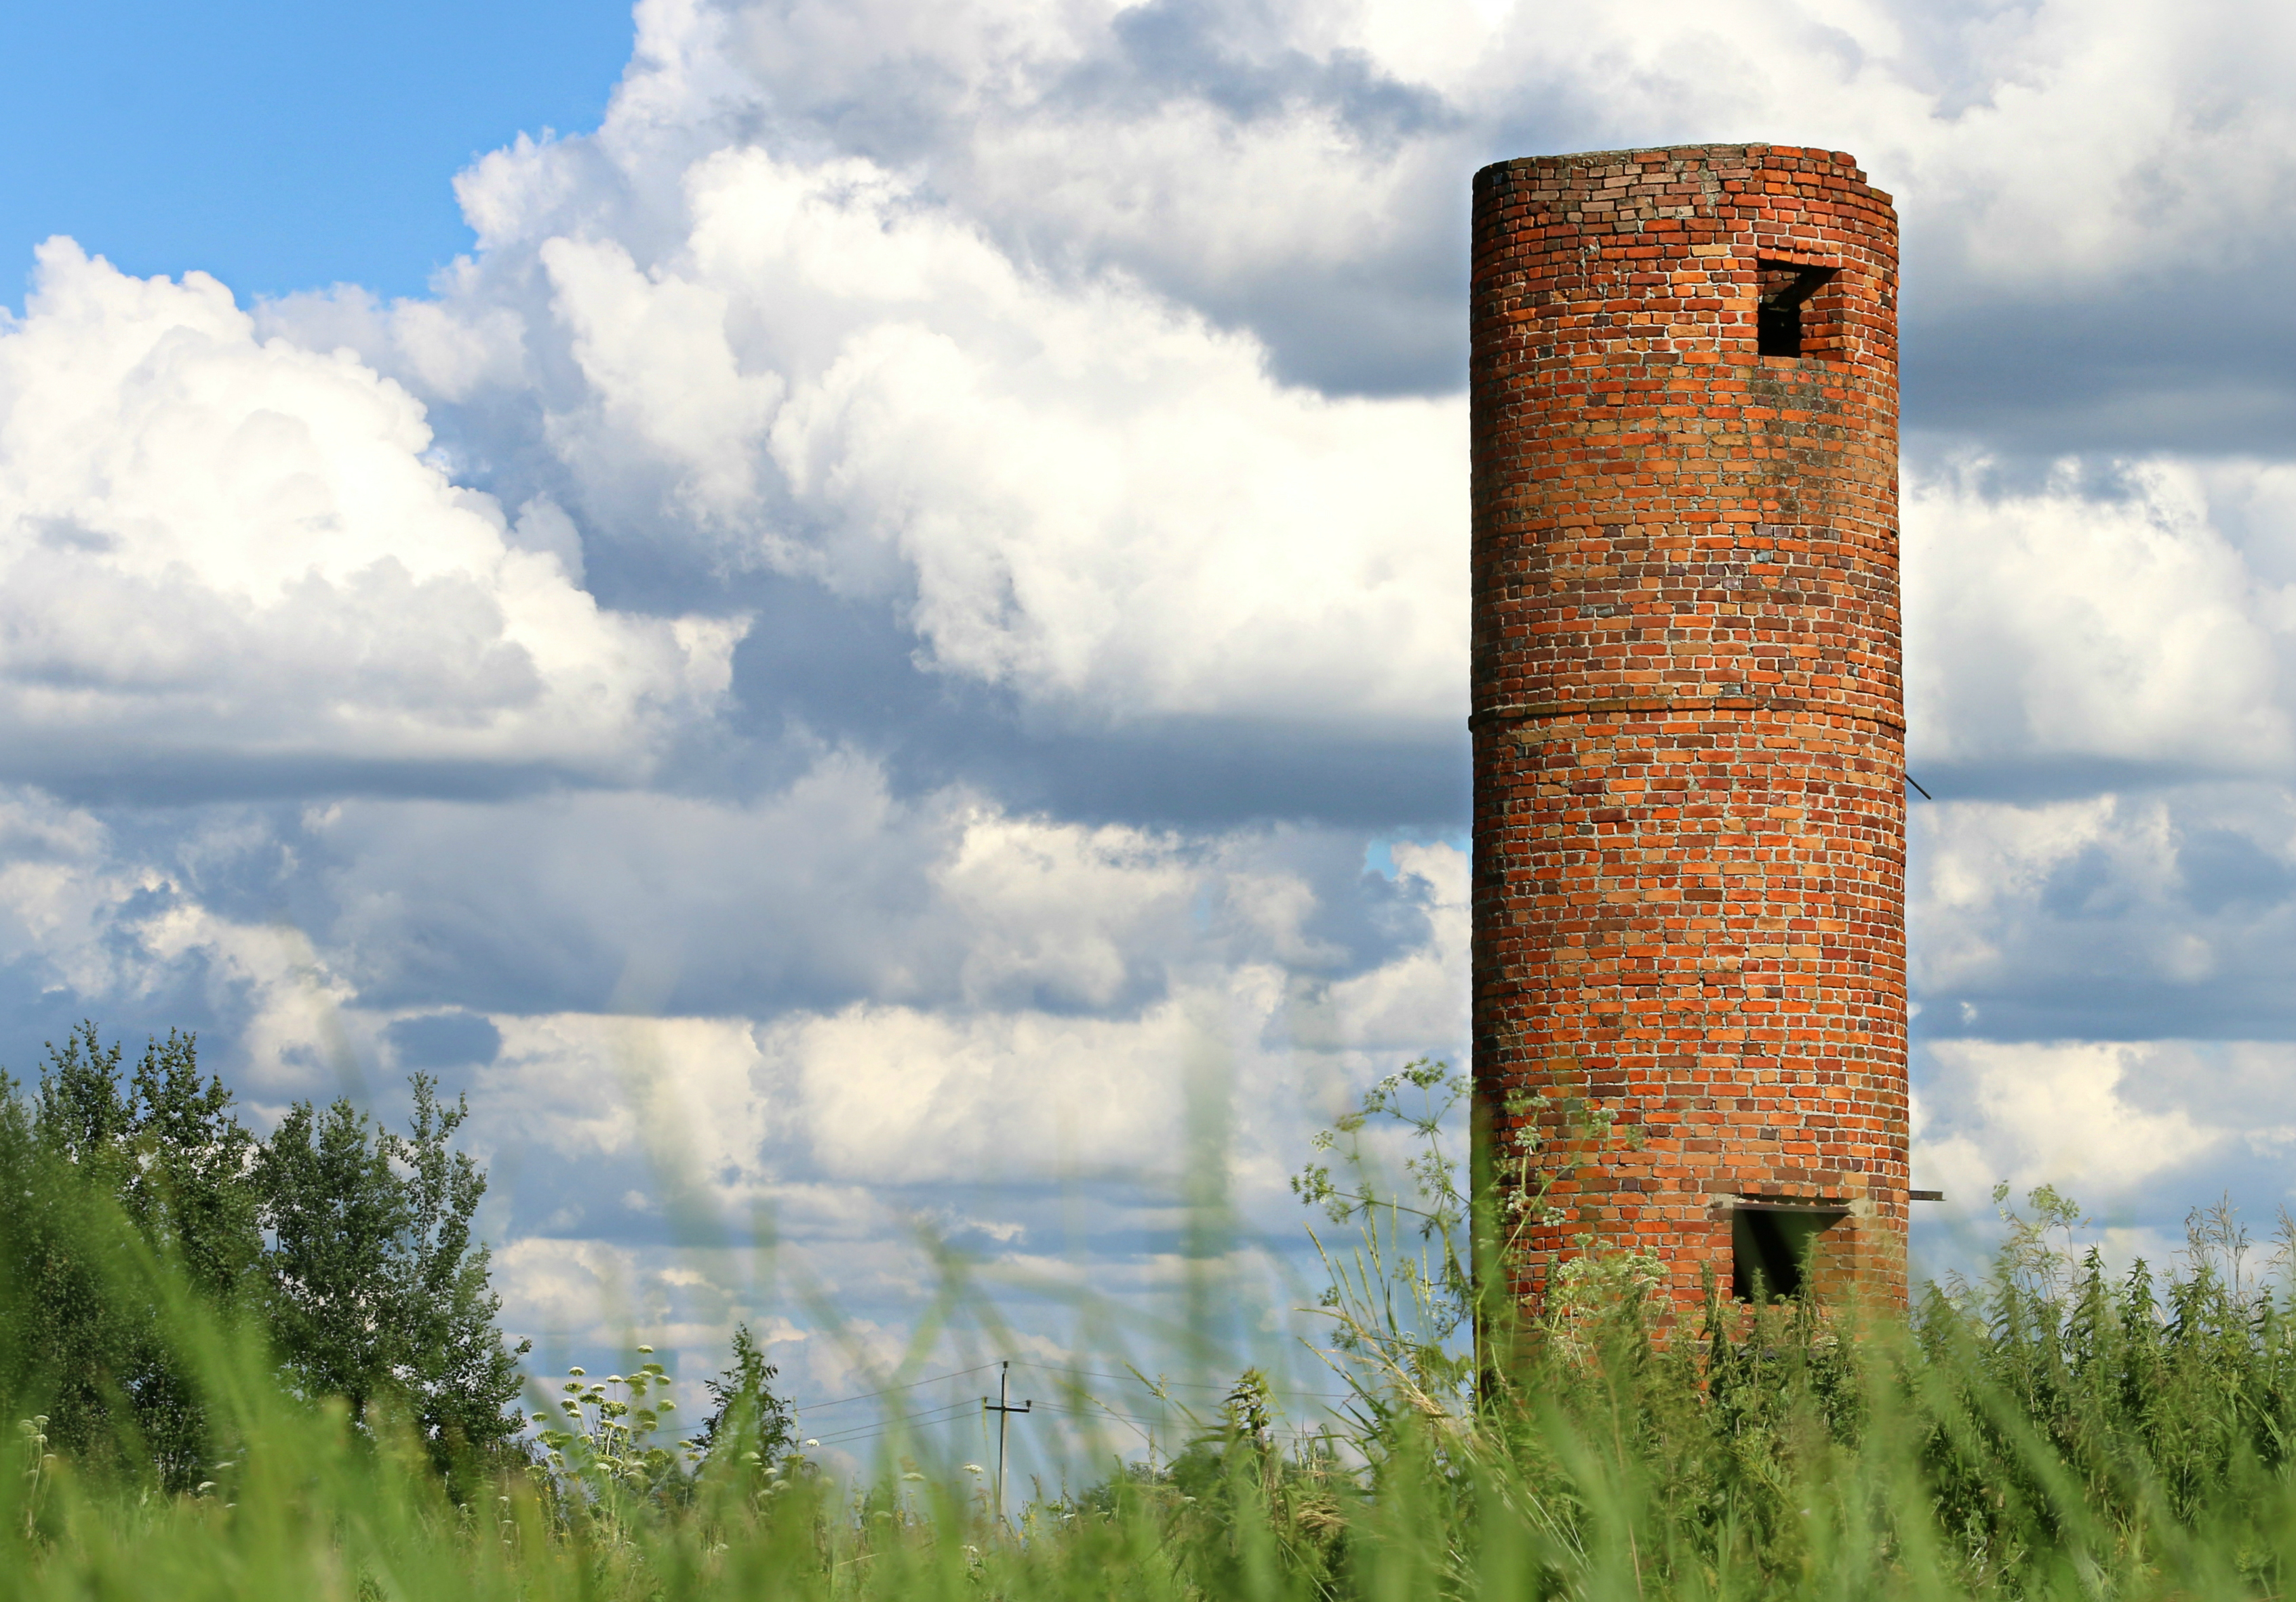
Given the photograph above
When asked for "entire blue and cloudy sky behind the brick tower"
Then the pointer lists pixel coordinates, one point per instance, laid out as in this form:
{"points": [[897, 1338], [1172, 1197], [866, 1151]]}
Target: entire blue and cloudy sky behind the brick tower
{"points": [[855, 616]]}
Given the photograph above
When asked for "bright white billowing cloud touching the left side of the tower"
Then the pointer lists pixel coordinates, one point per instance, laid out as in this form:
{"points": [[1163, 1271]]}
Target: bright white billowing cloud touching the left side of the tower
{"points": [[1078, 492]]}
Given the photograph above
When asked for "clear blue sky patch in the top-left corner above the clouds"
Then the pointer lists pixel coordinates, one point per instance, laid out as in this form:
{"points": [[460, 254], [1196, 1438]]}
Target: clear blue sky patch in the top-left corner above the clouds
{"points": [[281, 146]]}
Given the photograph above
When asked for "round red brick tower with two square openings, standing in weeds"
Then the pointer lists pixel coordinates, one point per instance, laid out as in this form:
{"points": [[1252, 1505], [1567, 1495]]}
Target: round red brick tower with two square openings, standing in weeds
{"points": [[1689, 724]]}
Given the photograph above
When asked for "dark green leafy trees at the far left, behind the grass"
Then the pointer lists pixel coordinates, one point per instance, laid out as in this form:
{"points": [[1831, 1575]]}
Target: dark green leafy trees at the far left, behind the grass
{"points": [[134, 1188]]}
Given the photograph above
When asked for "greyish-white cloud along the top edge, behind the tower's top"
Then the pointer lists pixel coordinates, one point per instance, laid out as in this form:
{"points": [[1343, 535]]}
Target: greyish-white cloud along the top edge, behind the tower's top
{"points": [[1301, 169]]}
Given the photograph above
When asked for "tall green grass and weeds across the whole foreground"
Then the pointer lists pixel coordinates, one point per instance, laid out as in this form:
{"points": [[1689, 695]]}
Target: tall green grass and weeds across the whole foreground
{"points": [[2049, 1431]]}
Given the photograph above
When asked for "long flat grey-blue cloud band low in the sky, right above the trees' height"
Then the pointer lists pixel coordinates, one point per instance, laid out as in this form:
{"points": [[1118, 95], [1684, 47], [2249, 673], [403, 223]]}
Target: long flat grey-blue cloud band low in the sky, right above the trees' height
{"points": [[825, 892]]}
